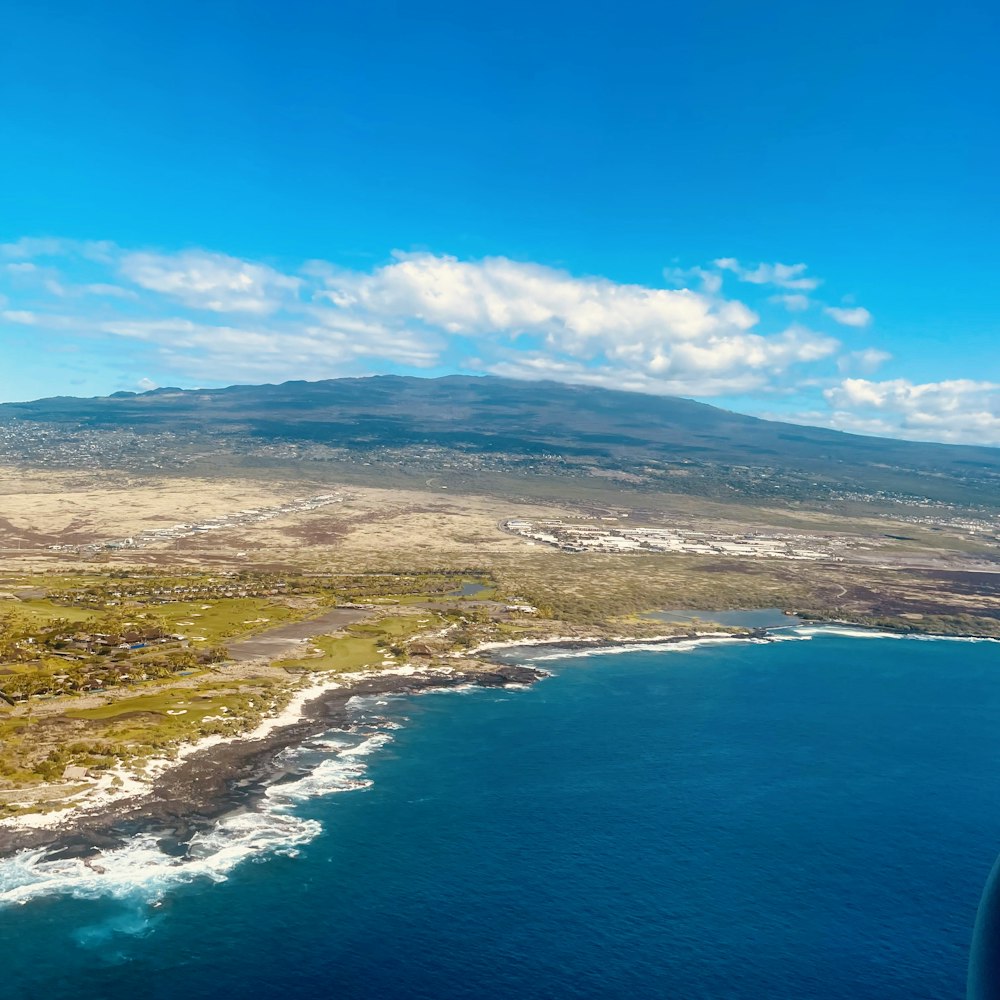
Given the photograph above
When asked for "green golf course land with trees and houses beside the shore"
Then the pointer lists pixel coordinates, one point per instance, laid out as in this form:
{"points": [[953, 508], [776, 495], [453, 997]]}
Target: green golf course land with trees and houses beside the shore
{"points": [[85, 691]]}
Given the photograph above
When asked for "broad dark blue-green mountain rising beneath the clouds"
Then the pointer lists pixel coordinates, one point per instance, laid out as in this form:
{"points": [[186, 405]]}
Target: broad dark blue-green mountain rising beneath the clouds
{"points": [[495, 416]]}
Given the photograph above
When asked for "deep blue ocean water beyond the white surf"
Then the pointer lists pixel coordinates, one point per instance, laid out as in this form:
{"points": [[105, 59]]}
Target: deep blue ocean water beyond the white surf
{"points": [[799, 819]]}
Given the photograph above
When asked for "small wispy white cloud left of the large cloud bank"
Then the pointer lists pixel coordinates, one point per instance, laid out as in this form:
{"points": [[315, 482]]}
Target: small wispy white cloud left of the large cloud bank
{"points": [[211, 281]]}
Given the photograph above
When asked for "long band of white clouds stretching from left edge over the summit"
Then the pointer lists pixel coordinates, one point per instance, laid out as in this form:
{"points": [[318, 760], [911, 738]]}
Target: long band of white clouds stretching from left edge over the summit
{"points": [[213, 317]]}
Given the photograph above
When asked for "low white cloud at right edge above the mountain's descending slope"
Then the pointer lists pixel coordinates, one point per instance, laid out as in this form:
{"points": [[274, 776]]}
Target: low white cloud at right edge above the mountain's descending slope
{"points": [[958, 410]]}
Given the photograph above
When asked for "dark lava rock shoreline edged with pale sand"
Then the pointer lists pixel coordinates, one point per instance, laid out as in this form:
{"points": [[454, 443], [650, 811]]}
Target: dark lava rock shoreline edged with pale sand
{"points": [[219, 775]]}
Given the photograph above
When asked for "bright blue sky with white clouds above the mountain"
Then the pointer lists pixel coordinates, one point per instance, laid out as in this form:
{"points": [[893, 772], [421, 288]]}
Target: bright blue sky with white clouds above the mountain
{"points": [[785, 209]]}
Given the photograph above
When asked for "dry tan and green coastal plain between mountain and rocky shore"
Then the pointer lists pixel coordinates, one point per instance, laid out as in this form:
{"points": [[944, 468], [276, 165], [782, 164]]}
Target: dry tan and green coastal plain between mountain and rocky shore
{"points": [[112, 656]]}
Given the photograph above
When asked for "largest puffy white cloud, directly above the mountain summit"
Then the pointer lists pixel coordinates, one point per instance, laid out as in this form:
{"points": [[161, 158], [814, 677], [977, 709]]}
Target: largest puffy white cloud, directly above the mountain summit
{"points": [[632, 330]]}
